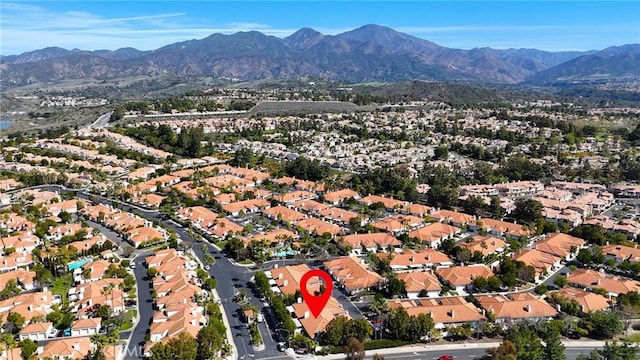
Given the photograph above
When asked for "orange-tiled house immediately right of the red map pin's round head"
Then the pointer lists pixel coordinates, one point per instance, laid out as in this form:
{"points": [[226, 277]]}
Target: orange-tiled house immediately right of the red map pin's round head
{"points": [[353, 275]]}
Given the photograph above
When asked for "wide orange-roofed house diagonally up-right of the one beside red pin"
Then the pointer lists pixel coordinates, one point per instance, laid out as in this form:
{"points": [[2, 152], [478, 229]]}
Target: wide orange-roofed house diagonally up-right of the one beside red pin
{"points": [[419, 260]]}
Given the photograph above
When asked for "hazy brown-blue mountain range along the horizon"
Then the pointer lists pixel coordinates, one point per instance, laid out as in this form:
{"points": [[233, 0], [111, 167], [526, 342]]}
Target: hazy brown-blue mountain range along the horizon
{"points": [[368, 53]]}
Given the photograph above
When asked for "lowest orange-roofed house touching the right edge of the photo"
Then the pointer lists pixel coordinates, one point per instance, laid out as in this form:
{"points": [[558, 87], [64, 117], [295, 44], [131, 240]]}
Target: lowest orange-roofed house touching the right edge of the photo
{"points": [[590, 280]]}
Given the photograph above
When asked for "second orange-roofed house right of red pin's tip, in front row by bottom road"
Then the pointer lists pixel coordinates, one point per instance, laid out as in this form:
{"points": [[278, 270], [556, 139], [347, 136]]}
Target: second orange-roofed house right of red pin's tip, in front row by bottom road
{"points": [[517, 306]]}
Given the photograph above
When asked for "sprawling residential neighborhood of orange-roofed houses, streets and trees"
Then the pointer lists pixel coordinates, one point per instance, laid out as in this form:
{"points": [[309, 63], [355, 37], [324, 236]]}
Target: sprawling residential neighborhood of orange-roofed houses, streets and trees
{"points": [[112, 246]]}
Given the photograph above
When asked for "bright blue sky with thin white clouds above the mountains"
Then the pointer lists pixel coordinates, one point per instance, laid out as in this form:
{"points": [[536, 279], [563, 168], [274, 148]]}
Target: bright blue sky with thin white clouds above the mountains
{"points": [[145, 25]]}
